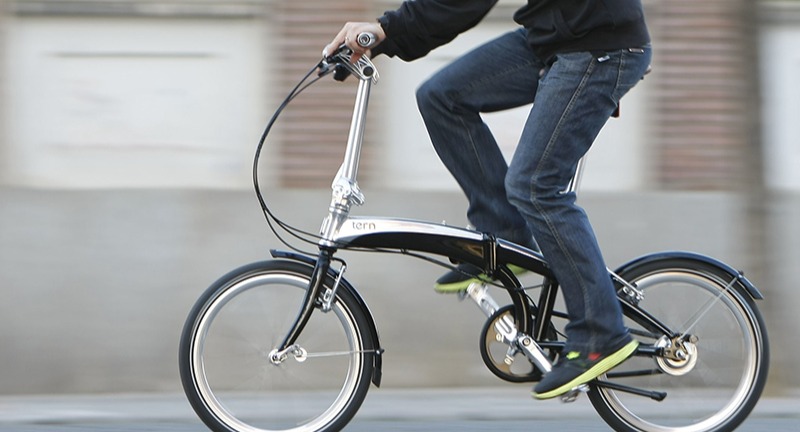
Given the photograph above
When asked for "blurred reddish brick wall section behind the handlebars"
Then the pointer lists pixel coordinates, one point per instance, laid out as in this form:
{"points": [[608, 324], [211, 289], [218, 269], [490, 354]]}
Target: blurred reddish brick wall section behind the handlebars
{"points": [[314, 130]]}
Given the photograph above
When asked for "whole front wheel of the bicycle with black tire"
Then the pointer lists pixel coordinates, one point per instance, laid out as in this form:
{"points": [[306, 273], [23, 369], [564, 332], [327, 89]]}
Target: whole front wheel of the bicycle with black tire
{"points": [[229, 370]]}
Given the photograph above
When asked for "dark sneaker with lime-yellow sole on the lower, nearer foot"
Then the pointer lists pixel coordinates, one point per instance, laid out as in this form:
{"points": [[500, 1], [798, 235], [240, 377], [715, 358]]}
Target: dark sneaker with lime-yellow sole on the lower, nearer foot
{"points": [[574, 369]]}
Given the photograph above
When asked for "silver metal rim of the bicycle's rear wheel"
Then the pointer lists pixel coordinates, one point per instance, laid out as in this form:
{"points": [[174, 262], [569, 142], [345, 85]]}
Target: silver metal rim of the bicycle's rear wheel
{"points": [[729, 306]]}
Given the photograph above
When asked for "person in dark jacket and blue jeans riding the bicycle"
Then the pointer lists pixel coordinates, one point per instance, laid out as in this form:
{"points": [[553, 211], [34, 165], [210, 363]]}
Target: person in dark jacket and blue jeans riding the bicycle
{"points": [[573, 60]]}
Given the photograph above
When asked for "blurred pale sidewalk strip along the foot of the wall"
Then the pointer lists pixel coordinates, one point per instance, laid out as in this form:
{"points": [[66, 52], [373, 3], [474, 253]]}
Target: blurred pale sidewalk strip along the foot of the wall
{"points": [[501, 403]]}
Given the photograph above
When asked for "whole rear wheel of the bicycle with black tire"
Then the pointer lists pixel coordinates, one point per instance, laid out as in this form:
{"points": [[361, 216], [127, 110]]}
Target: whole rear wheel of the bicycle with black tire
{"points": [[716, 387]]}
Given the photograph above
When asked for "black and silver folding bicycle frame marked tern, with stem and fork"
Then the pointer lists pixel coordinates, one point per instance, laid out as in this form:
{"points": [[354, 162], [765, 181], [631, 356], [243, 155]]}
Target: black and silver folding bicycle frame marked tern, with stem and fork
{"points": [[341, 231]]}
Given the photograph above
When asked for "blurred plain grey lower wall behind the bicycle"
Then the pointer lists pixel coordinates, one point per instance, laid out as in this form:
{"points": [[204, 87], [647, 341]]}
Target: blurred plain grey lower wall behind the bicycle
{"points": [[96, 285]]}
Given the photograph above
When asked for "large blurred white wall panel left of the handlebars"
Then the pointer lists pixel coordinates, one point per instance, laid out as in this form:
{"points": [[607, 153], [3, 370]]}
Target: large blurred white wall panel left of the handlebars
{"points": [[100, 101]]}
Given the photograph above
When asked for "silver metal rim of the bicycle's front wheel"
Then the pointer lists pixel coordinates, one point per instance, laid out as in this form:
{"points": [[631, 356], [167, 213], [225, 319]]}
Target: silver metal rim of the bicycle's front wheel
{"points": [[221, 409]]}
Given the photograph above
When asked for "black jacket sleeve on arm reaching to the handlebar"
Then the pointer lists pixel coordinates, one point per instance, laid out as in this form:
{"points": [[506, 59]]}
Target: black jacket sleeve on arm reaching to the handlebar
{"points": [[419, 26]]}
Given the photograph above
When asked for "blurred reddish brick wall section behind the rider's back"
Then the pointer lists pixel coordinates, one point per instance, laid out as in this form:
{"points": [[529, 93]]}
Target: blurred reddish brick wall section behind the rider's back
{"points": [[704, 93]]}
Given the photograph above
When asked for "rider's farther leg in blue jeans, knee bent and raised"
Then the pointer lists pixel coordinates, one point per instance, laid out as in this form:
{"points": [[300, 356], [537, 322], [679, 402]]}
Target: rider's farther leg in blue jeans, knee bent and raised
{"points": [[499, 75]]}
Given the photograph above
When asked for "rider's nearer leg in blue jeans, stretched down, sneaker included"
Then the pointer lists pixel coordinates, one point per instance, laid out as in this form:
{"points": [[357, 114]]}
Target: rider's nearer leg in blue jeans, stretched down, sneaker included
{"points": [[575, 98]]}
